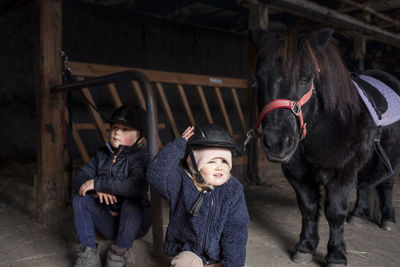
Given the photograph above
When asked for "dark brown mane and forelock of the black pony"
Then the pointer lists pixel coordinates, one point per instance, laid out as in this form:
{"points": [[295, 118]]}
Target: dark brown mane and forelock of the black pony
{"points": [[333, 80]]}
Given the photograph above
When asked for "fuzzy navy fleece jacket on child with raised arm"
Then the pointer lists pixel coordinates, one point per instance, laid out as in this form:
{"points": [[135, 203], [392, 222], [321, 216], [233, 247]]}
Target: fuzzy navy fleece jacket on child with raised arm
{"points": [[219, 232]]}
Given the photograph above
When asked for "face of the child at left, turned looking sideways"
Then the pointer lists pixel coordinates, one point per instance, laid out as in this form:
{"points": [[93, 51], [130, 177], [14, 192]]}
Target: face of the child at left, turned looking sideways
{"points": [[123, 135]]}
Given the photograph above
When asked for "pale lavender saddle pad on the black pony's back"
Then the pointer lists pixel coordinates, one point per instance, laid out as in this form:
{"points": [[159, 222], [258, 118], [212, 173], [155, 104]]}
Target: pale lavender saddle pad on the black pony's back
{"points": [[392, 113]]}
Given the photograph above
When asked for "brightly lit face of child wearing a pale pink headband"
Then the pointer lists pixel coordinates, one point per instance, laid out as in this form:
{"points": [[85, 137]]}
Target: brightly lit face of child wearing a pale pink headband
{"points": [[216, 171]]}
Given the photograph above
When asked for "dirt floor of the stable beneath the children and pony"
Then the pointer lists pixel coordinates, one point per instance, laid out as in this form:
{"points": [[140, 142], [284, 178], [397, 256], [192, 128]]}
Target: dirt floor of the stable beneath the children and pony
{"points": [[274, 231]]}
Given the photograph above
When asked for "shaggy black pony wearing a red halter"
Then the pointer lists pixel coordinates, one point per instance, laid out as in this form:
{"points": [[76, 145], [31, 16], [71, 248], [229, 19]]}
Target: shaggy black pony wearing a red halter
{"points": [[315, 123]]}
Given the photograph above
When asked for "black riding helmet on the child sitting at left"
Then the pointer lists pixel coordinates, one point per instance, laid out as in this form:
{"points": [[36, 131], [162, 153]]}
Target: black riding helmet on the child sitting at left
{"points": [[131, 116]]}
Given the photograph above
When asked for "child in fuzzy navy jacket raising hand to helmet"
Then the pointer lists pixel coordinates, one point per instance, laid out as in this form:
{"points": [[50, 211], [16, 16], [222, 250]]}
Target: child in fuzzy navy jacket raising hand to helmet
{"points": [[208, 219]]}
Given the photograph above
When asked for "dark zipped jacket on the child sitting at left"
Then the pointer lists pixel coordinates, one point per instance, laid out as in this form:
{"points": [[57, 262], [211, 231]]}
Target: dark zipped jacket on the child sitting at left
{"points": [[121, 172]]}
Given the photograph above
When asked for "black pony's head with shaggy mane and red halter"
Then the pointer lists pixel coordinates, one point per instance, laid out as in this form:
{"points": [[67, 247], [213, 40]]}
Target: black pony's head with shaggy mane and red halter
{"points": [[293, 68]]}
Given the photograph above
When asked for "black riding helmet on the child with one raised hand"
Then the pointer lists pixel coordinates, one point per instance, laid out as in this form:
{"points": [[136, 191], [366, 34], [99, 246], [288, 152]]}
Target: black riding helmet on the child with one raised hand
{"points": [[211, 135]]}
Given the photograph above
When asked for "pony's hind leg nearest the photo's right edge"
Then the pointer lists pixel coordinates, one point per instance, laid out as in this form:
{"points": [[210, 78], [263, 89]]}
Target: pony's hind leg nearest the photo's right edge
{"points": [[385, 190]]}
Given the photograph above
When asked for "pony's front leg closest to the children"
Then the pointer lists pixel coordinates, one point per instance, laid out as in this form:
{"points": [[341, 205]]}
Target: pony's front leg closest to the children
{"points": [[308, 200]]}
